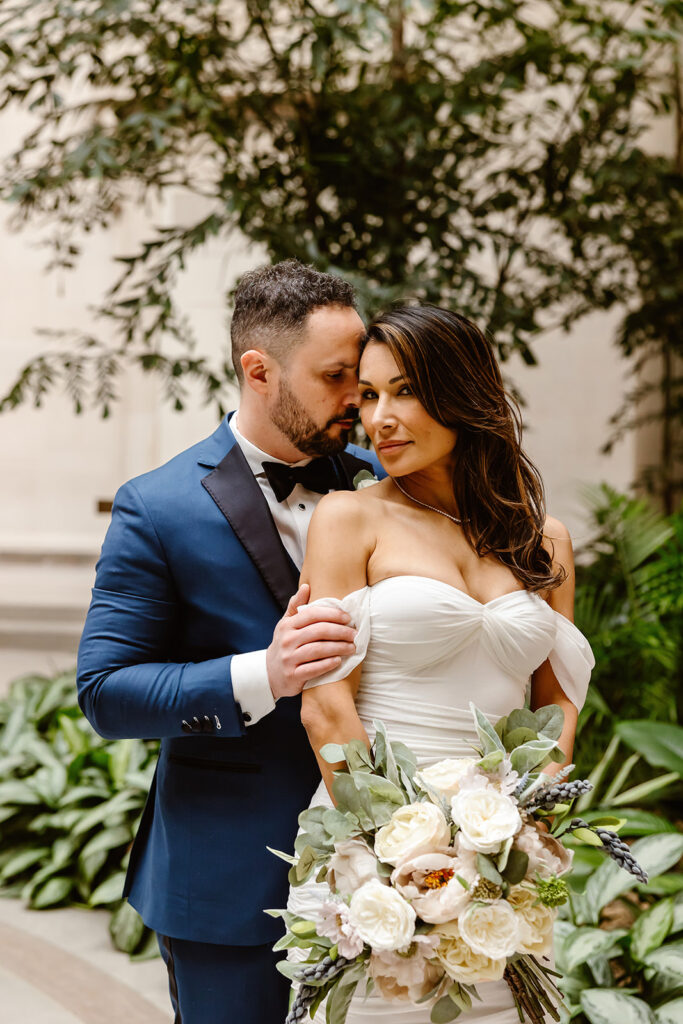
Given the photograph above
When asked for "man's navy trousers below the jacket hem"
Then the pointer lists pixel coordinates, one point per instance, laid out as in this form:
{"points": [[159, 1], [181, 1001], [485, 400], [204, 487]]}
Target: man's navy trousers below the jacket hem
{"points": [[212, 985]]}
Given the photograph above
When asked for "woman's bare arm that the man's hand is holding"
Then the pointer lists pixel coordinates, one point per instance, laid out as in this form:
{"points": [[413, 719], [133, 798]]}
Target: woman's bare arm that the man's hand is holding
{"points": [[339, 546]]}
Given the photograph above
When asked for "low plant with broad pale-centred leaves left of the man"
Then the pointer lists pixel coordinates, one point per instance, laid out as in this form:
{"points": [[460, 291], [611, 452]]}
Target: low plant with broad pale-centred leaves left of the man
{"points": [[70, 804]]}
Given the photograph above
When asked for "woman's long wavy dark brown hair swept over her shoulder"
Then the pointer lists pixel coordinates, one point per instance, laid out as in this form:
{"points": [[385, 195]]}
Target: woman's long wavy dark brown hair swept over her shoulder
{"points": [[499, 494]]}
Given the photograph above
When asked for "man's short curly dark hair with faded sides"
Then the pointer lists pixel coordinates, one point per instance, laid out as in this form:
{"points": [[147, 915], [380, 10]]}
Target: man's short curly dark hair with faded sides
{"points": [[273, 303]]}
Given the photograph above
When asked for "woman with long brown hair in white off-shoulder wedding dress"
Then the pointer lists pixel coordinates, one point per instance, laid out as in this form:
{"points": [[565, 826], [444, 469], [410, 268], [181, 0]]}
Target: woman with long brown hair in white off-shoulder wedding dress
{"points": [[461, 589]]}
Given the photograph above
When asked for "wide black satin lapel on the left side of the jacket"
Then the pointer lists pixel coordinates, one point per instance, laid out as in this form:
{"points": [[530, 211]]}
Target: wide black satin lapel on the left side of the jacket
{"points": [[239, 497]]}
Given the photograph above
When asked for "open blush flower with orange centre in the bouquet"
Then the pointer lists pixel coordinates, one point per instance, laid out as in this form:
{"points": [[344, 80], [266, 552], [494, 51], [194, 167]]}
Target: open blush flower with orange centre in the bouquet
{"points": [[431, 883]]}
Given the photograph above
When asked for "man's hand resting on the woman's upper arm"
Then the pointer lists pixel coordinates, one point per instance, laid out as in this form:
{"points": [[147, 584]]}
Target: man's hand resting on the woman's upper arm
{"points": [[307, 645]]}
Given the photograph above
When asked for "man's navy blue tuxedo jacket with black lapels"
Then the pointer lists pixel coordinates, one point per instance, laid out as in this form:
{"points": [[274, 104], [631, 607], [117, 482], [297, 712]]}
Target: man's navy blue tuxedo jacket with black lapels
{"points": [[193, 572]]}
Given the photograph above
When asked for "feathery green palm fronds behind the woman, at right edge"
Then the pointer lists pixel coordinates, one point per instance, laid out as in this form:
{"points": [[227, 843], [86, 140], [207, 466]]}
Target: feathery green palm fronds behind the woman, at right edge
{"points": [[630, 605]]}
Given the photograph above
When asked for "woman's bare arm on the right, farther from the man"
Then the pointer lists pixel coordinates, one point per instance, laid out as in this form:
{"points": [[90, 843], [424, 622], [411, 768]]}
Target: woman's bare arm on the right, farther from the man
{"points": [[545, 688]]}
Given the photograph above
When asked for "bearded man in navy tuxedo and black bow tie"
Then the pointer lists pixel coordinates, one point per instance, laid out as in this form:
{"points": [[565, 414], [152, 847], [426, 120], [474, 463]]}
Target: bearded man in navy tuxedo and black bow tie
{"points": [[194, 636]]}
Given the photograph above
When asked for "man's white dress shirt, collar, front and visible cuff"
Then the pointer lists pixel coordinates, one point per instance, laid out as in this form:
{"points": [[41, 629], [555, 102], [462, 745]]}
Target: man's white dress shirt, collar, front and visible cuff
{"points": [[292, 517]]}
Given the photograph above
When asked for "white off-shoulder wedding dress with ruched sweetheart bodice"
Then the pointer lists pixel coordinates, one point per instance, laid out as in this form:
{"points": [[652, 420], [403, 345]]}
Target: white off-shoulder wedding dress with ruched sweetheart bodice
{"points": [[428, 651]]}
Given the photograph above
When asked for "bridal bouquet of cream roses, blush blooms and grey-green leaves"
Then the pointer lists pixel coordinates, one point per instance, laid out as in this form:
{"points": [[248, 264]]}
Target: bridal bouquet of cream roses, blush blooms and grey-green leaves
{"points": [[443, 878]]}
